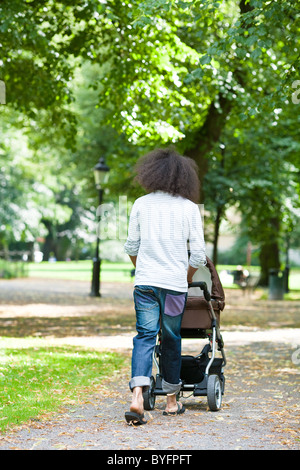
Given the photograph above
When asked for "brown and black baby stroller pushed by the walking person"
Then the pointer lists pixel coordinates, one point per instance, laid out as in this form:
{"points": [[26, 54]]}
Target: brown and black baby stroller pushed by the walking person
{"points": [[203, 374]]}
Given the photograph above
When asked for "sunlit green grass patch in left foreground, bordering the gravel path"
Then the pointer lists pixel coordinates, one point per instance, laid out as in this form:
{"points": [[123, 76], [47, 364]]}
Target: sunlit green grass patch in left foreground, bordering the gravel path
{"points": [[36, 378]]}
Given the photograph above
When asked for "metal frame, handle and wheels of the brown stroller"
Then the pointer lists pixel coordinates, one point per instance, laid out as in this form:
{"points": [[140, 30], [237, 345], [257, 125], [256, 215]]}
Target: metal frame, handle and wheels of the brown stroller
{"points": [[212, 383]]}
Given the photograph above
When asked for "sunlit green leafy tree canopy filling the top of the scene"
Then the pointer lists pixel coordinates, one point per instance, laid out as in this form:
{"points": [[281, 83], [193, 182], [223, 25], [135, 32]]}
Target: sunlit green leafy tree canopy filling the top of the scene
{"points": [[218, 79]]}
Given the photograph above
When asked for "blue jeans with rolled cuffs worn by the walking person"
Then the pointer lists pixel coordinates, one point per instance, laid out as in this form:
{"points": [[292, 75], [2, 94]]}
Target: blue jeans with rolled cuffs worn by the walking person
{"points": [[157, 307]]}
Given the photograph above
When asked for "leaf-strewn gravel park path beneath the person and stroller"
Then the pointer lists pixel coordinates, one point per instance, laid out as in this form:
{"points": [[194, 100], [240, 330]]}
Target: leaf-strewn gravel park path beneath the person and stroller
{"points": [[260, 408]]}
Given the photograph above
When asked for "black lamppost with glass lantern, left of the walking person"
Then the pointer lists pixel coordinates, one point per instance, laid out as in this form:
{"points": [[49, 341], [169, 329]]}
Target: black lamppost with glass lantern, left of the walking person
{"points": [[101, 177]]}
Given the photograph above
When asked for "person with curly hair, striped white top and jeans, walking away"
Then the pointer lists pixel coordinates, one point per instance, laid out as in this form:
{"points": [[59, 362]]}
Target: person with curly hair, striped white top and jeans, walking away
{"points": [[161, 224]]}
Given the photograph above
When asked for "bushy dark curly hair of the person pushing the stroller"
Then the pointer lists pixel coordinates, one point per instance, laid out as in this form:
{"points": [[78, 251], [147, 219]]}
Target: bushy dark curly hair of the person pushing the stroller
{"points": [[168, 171]]}
